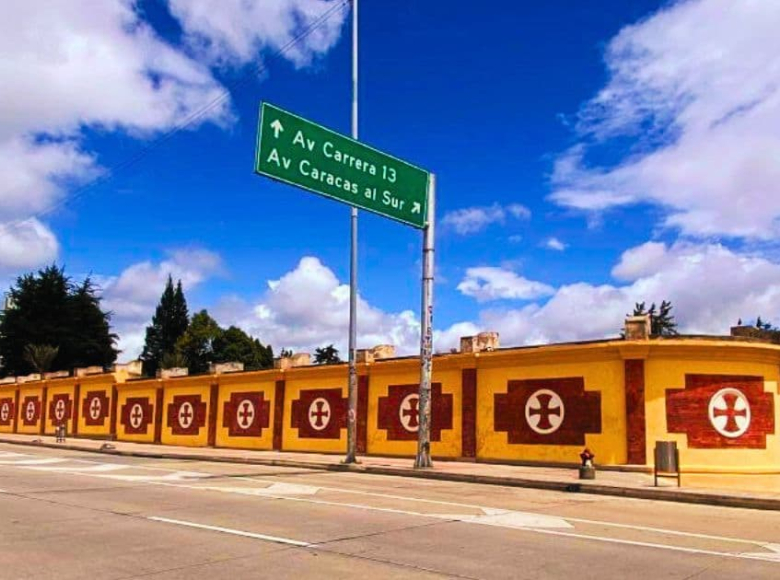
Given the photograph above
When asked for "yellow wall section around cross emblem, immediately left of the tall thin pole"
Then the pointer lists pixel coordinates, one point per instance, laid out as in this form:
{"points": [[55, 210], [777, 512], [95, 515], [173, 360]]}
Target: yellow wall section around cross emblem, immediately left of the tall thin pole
{"points": [[312, 378]]}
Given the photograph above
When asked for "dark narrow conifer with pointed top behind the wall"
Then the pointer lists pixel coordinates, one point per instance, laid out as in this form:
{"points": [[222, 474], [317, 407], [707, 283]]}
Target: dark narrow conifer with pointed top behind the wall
{"points": [[169, 323]]}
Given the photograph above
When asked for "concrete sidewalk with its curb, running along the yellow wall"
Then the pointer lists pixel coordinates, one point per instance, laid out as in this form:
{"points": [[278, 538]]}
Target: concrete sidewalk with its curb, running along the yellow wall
{"points": [[631, 484]]}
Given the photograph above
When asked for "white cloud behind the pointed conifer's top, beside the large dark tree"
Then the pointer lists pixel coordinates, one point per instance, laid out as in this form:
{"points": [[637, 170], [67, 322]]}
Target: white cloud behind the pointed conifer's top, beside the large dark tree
{"points": [[133, 295]]}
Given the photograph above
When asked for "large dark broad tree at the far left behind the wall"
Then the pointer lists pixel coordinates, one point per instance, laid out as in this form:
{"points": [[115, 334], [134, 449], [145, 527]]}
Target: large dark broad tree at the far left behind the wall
{"points": [[49, 309]]}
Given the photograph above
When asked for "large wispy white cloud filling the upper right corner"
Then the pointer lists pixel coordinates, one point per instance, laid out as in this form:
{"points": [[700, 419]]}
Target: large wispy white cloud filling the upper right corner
{"points": [[697, 87]]}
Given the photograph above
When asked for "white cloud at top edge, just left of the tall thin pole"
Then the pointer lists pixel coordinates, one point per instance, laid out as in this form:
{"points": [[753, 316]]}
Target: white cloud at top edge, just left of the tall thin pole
{"points": [[235, 32]]}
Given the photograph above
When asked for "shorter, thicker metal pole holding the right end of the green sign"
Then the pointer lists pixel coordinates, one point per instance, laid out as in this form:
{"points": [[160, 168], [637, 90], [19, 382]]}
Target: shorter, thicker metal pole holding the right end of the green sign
{"points": [[423, 458]]}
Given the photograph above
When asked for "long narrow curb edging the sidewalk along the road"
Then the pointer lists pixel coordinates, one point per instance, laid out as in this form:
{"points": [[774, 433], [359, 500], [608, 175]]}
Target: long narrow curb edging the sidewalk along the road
{"points": [[656, 494]]}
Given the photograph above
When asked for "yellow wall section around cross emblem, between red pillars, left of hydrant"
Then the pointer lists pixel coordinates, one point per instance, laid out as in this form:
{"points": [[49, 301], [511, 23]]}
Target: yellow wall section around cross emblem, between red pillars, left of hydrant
{"points": [[602, 369]]}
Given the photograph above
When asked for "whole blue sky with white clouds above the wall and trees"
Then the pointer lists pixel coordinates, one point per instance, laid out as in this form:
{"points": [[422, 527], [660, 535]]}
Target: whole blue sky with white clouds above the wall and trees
{"points": [[574, 145]]}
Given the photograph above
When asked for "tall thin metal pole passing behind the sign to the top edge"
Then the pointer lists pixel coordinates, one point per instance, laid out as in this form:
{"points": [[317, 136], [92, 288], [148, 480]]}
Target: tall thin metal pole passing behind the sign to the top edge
{"points": [[352, 413]]}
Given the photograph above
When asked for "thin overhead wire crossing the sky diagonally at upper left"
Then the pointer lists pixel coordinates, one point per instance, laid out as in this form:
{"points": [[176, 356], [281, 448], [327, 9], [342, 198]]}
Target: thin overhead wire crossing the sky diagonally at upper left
{"points": [[141, 154]]}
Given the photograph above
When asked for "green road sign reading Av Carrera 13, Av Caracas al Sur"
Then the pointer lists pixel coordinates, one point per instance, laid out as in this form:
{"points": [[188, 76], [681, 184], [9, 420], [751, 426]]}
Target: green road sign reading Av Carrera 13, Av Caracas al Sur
{"points": [[302, 153]]}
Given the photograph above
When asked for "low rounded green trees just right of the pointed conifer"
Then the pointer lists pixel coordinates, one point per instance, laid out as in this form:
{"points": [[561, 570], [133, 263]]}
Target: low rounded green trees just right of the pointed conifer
{"points": [[206, 342]]}
